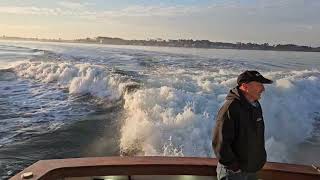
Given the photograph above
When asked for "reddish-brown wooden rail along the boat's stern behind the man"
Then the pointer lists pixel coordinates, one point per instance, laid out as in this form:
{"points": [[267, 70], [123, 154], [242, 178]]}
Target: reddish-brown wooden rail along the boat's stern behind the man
{"points": [[104, 166]]}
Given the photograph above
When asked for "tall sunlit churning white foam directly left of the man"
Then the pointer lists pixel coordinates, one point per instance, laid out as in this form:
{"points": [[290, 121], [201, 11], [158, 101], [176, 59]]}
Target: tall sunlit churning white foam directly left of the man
{"points": [[162, 121]]}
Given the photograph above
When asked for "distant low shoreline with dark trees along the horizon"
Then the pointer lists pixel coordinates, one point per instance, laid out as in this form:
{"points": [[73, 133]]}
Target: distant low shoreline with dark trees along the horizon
{"points": [[185, 43]]}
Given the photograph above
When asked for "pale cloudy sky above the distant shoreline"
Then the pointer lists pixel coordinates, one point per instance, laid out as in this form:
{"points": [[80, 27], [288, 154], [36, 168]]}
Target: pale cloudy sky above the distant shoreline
{"points": [[258, 21]]}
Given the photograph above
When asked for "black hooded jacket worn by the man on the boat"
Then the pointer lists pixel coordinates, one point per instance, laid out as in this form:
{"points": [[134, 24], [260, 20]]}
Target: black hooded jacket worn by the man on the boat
{"points": [[238, 136]]}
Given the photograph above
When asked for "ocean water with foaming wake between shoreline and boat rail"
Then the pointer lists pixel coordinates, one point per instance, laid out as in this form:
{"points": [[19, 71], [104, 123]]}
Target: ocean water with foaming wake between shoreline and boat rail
{"points": [[60, 100]]}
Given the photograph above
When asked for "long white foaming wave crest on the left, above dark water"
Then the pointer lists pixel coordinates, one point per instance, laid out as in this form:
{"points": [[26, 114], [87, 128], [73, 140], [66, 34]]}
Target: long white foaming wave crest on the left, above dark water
{"points": [[77, 78]]}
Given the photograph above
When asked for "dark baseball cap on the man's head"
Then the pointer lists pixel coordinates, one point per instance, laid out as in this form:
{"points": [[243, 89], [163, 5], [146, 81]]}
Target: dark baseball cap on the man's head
{"points": [[249, 76]]}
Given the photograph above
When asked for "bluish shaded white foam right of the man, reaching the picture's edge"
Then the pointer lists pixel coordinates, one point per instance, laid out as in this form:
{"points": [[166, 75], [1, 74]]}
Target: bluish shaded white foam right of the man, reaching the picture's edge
{"points": [[290, 108]]}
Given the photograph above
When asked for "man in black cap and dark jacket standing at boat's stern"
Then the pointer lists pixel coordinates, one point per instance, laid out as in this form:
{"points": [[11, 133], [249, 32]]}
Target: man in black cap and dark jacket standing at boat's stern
{"points": [[238, 136]]}
